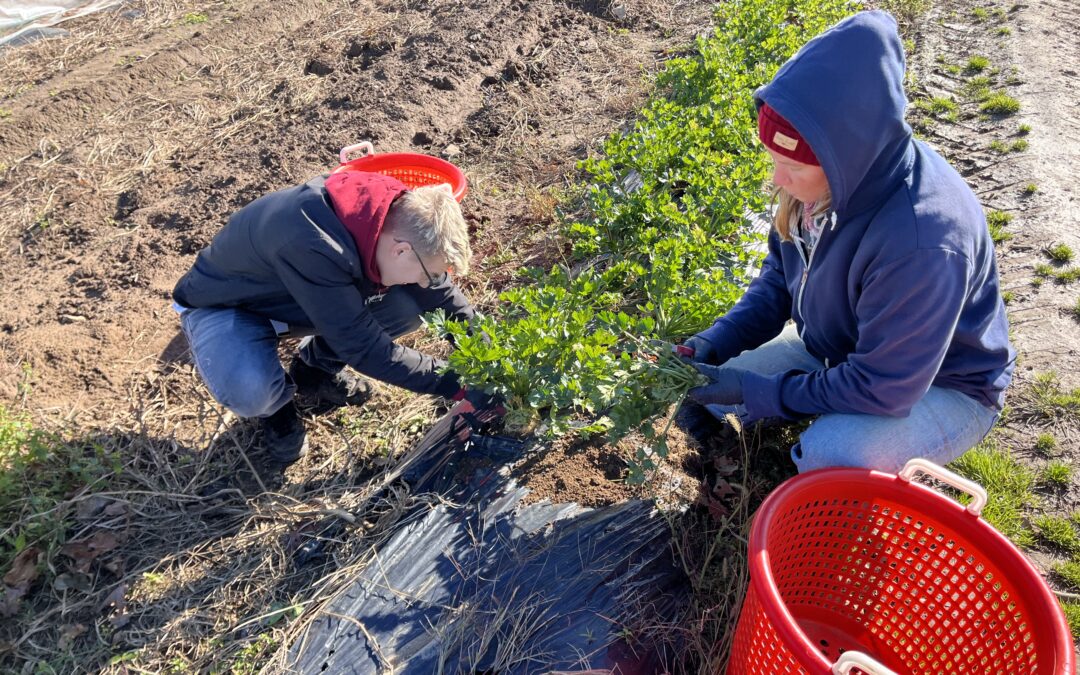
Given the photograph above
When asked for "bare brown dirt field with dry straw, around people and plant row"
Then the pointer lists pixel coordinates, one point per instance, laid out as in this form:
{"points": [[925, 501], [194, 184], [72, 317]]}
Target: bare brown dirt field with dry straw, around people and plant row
{"points": [[125, 147]]}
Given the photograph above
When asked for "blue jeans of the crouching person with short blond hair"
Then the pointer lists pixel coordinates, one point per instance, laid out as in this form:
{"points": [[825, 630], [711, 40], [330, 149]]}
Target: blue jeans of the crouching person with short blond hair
{"points": [[236, 352]]}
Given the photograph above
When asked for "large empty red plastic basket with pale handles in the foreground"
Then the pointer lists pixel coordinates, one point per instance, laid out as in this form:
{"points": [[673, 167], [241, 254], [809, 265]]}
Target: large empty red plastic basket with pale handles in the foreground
{"points": [[857, 571]]}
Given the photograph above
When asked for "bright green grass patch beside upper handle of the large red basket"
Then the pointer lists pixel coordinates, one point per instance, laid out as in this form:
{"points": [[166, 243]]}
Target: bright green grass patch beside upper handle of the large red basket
{"points": [[1009, 485]]}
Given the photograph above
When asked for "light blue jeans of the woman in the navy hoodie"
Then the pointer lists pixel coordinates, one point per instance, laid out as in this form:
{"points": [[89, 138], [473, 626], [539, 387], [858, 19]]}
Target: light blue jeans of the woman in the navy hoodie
{"points": [[942, 426]]}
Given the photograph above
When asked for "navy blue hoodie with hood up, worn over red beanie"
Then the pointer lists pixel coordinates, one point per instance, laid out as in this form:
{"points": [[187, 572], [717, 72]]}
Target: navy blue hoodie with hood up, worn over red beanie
{"points": [[901, 291]]}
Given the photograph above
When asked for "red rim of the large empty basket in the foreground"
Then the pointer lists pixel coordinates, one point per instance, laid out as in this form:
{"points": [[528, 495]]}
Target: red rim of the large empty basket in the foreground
{"points": [[1015, 565]]}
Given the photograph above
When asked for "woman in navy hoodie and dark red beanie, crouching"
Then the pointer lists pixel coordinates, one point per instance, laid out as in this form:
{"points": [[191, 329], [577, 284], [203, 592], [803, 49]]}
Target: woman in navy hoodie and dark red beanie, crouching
{"points": [[882, 258]]}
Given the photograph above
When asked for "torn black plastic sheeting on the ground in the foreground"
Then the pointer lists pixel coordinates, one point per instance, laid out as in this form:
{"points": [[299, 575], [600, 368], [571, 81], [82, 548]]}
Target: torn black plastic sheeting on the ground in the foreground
{"points": [[484, 584]]}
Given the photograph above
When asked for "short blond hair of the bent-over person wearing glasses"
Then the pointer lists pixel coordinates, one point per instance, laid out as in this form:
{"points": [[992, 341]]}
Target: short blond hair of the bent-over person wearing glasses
{"points": [[430, 219]]}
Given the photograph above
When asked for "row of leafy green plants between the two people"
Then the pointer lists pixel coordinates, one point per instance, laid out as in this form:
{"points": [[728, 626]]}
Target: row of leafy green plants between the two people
{"points": [[665, 249]]}
